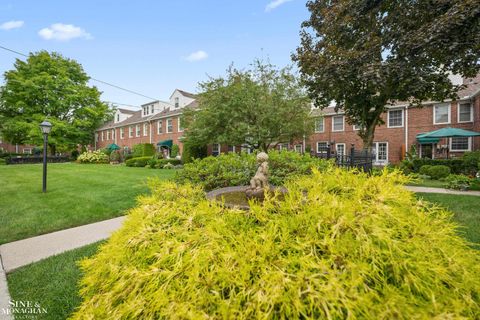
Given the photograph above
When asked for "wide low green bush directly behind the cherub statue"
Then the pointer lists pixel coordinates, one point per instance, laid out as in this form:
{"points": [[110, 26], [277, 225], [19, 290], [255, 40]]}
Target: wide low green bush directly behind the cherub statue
{"points": [[234, 169]]}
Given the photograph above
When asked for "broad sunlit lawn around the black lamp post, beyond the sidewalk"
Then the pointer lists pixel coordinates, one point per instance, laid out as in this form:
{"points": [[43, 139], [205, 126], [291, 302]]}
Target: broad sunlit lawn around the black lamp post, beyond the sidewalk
{"points": [[77, 194]]}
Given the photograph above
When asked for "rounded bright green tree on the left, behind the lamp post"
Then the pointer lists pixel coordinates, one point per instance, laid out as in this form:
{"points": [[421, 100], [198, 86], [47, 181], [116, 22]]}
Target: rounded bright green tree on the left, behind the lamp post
{"points": [[49, 86]]}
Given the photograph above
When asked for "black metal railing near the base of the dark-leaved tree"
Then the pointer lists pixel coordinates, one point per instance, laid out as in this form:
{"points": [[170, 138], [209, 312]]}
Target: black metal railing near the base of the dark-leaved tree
{"points": [[362, 159]]}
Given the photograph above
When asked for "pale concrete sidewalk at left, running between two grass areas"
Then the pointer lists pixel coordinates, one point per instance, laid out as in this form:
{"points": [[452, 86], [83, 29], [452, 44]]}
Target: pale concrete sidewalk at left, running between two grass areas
{"points": [[20, 253]]}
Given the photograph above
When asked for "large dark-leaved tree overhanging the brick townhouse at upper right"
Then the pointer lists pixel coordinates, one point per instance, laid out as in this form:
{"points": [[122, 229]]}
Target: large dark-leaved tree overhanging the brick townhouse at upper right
{"points": [[365, 55]]}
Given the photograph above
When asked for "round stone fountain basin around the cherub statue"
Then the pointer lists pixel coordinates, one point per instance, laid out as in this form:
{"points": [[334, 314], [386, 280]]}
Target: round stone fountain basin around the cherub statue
{"points": [[235, 197]]}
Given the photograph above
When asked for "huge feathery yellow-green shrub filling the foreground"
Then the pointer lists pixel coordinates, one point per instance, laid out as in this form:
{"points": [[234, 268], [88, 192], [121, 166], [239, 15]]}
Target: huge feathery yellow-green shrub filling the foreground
{"points": [[340, 246]]}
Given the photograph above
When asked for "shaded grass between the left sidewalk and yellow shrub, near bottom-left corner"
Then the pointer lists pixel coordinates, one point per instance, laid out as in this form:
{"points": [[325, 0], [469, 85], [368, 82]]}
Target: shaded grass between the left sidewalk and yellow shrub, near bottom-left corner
{"points": [[53, 283]]}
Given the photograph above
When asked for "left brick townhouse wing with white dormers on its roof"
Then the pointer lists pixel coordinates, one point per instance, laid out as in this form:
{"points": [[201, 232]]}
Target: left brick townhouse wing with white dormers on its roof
{"points": [[158, 122]]}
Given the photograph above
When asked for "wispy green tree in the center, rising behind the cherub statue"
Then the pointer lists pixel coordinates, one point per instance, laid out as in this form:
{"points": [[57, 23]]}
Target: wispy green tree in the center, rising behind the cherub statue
{"points": [[259, 108]]}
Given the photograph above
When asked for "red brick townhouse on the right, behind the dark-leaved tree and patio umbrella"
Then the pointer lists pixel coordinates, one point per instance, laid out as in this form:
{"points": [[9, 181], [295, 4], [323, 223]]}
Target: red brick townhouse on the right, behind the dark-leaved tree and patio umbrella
{"points": [[402, 126]]}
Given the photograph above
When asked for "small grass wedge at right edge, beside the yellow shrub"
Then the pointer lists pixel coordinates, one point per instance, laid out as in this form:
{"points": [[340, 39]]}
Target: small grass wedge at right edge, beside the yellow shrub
{"points": [[466, 210]]}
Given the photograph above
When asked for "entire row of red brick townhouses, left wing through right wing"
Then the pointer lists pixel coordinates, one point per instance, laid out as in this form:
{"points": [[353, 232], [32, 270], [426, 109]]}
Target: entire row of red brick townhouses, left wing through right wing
{"points": [[159, 121]]}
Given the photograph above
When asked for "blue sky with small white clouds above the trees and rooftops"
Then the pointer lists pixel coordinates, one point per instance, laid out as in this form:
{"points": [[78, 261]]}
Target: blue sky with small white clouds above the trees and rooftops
{"points": [[152, 46]]}
